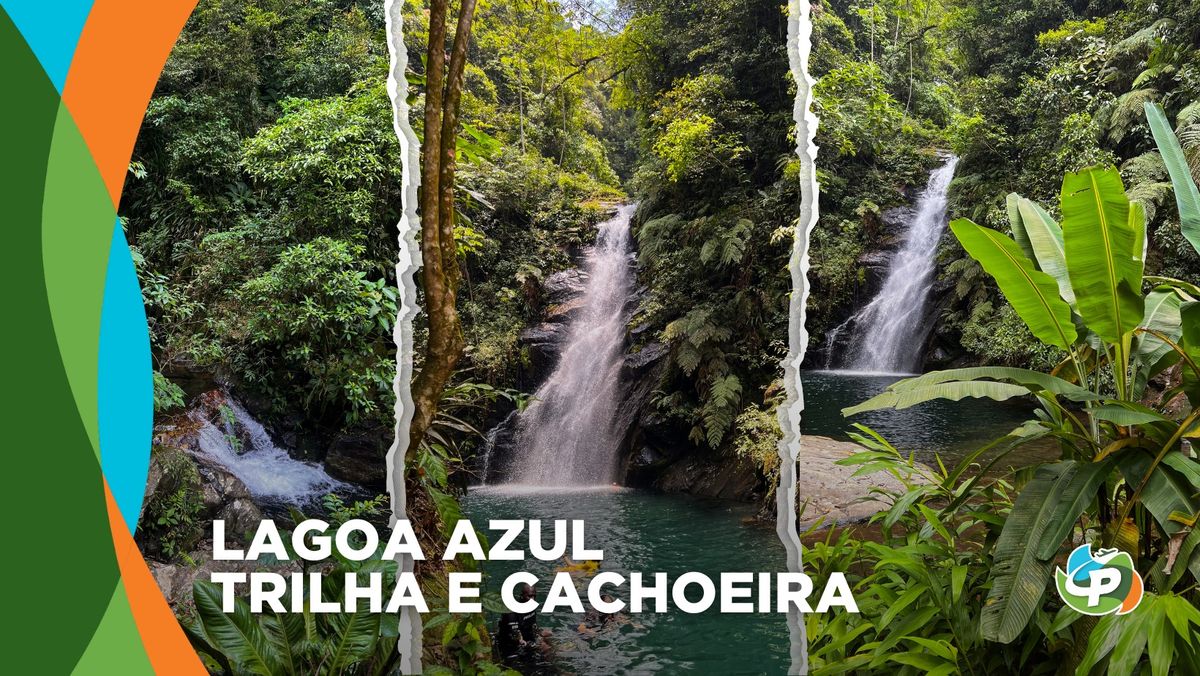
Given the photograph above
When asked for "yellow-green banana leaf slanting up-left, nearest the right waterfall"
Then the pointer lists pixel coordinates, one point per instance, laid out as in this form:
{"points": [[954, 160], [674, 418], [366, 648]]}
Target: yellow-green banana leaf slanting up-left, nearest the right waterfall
{"points": [[1033, 294]]}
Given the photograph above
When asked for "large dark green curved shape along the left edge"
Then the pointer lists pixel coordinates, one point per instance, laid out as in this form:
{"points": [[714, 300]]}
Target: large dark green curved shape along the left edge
{"points": [[62, 566]]}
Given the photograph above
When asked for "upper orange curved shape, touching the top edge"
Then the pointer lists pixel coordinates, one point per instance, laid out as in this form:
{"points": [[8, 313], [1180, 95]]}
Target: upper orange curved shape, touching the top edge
{"points": [[117, 64]]}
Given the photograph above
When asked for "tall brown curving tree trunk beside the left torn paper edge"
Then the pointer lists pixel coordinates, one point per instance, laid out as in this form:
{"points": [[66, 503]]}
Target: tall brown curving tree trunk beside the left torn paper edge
{"points": [[440, 264]]}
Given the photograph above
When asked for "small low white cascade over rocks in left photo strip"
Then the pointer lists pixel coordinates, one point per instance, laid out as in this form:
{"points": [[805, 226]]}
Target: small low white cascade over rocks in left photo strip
{"points": [[267, 470]]}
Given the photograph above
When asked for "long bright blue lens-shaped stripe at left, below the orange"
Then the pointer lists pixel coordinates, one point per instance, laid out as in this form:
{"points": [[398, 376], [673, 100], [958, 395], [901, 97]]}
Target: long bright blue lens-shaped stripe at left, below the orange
{"points": [[125, 384]]}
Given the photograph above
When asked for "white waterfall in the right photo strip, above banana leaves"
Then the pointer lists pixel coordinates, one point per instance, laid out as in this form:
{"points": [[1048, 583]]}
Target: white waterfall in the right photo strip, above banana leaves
{"points": [[890, 332]]}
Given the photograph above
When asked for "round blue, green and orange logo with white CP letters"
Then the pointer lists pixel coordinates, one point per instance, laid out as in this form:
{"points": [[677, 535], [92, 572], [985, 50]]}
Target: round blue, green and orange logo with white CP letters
{"points": [[1101, 584]]}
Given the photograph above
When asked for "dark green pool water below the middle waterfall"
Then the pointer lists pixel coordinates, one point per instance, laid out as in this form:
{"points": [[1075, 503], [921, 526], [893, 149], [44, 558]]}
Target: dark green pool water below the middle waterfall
{"points": [[652, 534]]}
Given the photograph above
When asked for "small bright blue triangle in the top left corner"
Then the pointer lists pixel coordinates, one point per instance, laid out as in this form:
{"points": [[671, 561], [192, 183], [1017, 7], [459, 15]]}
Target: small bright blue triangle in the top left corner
{"points": [[52, 31]]}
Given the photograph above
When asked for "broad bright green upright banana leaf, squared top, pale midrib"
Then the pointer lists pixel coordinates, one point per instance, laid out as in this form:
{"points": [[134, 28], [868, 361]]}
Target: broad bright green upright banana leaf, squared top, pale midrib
{"points": [[1100, 242]]}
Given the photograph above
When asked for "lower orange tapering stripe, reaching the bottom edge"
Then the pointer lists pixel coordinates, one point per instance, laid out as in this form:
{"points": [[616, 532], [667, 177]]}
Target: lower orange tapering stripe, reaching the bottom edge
{"points": [[164, 642]]}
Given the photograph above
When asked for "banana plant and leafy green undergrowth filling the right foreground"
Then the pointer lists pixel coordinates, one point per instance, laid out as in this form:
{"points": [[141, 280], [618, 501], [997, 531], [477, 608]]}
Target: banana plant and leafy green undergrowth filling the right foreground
{"points": [[1126, 478]]}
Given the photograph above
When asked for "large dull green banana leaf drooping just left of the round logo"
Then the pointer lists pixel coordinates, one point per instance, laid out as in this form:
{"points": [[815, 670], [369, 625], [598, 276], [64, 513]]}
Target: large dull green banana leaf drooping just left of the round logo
{"points": [[1019, 573]]}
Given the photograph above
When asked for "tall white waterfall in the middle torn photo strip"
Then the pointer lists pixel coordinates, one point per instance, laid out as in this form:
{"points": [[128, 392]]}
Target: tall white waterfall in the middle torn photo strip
{"points": [[567, 436]]}
